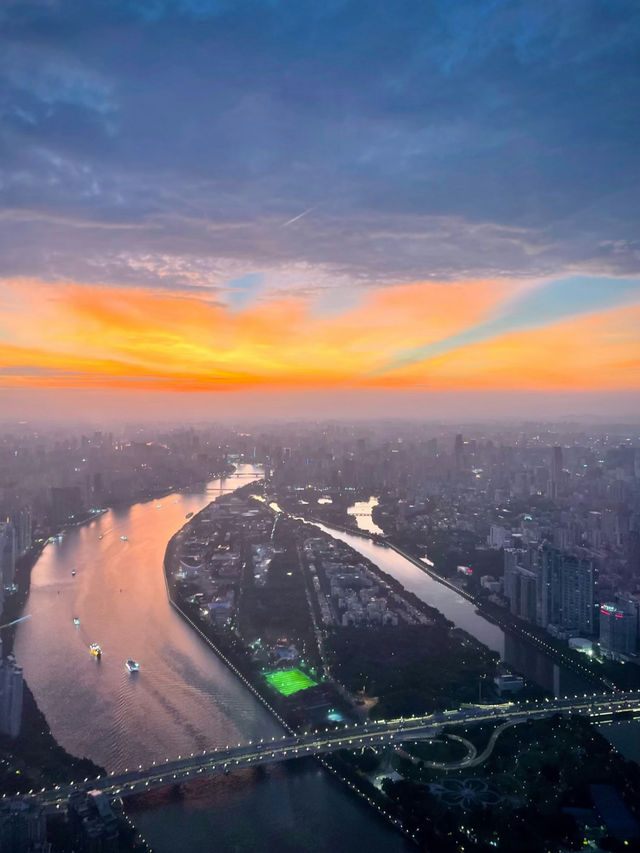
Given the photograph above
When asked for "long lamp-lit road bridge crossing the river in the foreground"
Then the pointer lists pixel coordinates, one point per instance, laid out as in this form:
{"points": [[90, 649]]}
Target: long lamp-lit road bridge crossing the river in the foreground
{"points": [[357, 736]]}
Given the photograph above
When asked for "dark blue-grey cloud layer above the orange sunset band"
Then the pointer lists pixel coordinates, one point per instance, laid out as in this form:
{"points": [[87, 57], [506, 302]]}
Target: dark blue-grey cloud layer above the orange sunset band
{"points": [[431, 138]]}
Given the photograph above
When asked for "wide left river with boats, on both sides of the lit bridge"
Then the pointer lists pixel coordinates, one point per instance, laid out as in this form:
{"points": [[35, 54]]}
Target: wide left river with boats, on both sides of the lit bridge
{"points": [[182, 700]]}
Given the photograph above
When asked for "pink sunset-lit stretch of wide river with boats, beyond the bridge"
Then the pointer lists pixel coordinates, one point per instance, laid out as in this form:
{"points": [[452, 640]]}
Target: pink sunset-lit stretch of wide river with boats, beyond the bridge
{"points": [[183, 699]]}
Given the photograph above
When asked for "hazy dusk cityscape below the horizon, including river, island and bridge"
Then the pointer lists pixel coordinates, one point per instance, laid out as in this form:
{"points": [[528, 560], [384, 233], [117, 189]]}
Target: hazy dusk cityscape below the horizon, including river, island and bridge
{"points": [[445, 623]]}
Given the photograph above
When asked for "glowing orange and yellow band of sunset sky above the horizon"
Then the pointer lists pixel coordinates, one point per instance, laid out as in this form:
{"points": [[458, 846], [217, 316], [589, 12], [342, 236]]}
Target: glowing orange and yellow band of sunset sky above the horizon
{"points": [[75, 336]]}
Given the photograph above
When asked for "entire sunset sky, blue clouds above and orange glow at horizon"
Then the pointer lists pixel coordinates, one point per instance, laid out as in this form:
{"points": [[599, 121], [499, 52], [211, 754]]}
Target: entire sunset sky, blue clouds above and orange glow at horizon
{"points": [[425, 207]]}
